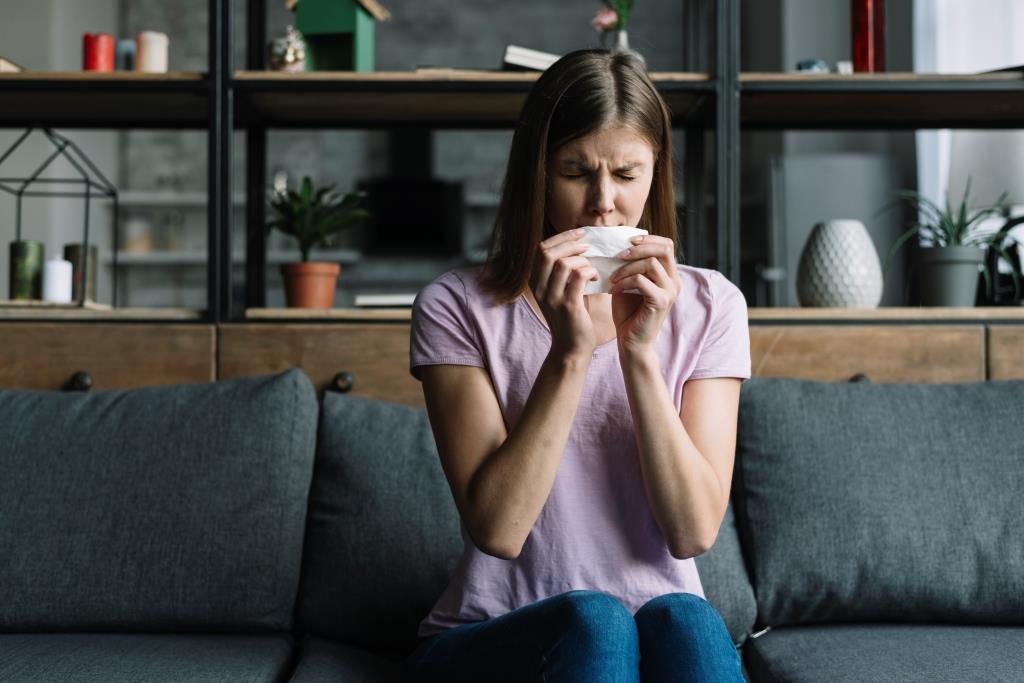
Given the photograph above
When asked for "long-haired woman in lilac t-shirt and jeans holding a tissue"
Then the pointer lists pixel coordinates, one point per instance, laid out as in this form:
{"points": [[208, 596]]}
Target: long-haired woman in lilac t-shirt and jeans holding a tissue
{"points": [[588, 441]]}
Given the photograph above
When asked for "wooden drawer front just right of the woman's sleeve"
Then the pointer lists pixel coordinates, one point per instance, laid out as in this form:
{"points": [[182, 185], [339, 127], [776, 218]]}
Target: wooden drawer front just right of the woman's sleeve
{"points": [[926, 354]]}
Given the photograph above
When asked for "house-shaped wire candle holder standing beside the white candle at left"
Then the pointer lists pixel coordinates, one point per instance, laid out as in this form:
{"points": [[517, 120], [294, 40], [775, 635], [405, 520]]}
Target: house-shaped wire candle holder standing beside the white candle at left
{"points": [[88, 185]]}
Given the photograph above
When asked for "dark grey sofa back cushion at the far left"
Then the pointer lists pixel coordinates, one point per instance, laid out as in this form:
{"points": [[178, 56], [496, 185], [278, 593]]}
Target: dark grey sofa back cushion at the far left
{"points": [[155, 509]]}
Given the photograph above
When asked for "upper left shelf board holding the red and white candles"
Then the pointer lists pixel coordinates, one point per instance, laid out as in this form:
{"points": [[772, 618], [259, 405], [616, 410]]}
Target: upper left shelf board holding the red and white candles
{"points": [[116, 100]]}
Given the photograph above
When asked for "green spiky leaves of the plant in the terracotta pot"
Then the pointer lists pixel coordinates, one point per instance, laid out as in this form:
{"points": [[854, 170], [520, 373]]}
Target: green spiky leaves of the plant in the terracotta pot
{"points": [[314, 217]]}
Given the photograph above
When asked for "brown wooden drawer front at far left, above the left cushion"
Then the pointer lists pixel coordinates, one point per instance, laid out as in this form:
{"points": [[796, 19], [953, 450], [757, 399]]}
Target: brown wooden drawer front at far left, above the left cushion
{"points": [[49, 356]]}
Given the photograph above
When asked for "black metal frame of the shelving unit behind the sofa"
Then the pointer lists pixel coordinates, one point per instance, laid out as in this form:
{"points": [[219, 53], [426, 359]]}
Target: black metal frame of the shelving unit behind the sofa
{"points": [[715, 52]]}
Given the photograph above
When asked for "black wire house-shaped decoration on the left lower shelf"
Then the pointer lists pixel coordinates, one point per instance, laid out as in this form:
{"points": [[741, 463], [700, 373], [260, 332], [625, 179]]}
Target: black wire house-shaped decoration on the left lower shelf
{"points": [[90, 187]]}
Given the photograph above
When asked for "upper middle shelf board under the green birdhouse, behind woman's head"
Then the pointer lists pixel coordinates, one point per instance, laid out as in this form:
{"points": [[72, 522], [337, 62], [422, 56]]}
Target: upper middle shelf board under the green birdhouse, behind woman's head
{"points": [[436, 98]]}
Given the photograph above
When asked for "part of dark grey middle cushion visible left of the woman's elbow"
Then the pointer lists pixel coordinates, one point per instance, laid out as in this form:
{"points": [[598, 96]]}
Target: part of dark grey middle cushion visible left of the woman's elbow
{"points": [[382, 536]]}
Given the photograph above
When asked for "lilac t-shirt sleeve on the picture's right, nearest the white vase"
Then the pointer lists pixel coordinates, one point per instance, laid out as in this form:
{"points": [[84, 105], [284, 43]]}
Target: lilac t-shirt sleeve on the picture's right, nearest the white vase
{"points": [[727, 348]]}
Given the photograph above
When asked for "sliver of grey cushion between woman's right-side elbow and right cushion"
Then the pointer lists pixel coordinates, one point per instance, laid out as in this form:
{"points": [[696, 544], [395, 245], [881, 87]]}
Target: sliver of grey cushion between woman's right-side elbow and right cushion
{"points": [[726, 582]]}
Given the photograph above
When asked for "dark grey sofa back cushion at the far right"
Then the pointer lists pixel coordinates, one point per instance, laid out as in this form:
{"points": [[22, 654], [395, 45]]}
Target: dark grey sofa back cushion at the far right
{"points": [[862, 502]]}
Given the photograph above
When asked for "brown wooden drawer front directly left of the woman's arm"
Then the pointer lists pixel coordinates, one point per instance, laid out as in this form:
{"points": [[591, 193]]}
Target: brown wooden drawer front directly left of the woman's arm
{"points": [[365, 360]]}
